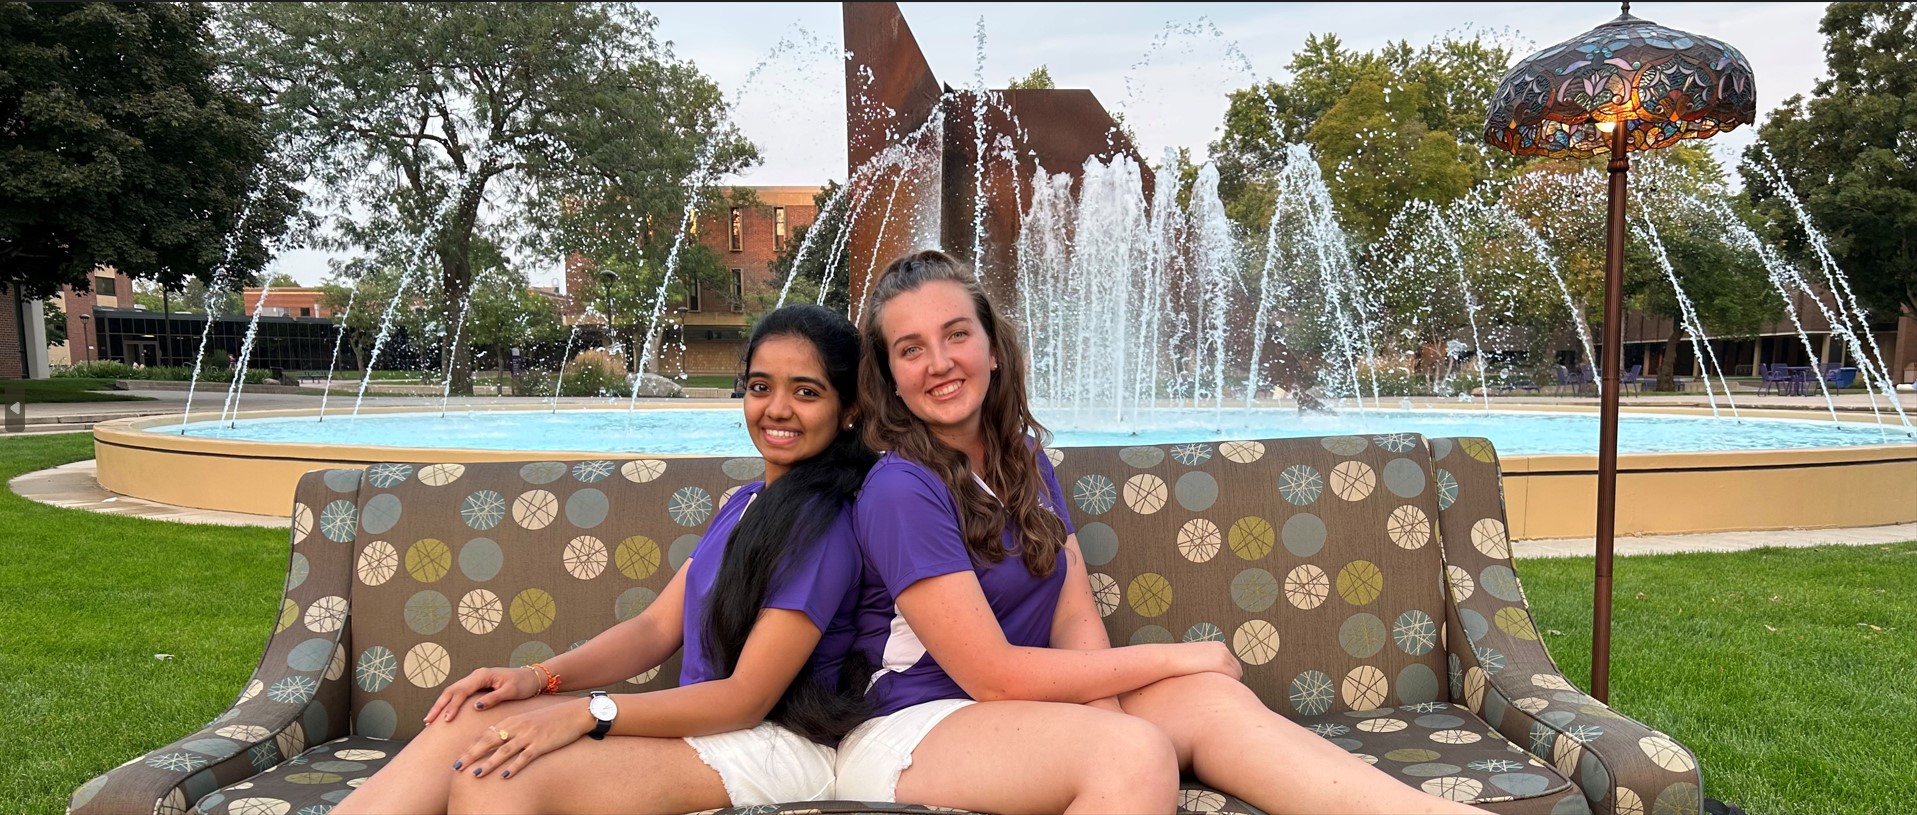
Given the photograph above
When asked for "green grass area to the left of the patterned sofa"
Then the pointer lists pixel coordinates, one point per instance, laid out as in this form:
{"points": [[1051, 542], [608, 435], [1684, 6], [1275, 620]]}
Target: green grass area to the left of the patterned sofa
{"points": [[87, 601]]}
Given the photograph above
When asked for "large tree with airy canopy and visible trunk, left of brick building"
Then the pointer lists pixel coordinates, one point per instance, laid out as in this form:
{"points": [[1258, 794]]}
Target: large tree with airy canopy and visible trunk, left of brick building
{"points": [[551, 128]]}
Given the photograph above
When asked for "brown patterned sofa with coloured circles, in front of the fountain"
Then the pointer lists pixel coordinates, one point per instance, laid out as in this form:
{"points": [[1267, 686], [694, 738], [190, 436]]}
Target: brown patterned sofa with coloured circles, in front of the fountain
{"points": [[1364, 582]]}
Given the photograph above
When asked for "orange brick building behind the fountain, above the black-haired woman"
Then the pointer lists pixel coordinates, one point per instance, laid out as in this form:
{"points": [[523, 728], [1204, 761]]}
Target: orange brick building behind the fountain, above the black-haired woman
{"points": [[712, 323]]}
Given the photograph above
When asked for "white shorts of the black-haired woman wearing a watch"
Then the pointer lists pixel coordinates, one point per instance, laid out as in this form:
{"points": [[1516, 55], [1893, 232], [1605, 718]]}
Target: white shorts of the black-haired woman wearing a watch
{"points": [[768, 764]]}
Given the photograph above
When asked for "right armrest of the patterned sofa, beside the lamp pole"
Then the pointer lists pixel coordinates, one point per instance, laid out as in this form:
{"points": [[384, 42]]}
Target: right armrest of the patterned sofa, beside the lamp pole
{"points": [[1502, 672]]}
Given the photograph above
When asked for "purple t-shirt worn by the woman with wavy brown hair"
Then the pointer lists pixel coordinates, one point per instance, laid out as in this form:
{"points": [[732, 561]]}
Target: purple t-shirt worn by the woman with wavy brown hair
{"points": [[908, 528]]}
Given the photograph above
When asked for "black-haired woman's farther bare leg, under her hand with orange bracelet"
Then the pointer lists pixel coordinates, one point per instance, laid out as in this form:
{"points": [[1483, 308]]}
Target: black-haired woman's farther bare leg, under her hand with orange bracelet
{"points": [[421, 778]]}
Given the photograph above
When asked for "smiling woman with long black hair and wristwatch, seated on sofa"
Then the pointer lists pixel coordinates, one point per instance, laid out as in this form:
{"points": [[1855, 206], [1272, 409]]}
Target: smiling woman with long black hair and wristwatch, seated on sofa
{"points": [[764, 615]]}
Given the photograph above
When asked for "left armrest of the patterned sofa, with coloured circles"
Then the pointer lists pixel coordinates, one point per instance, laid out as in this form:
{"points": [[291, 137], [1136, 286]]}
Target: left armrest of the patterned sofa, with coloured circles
{"points": [[298, 695]]}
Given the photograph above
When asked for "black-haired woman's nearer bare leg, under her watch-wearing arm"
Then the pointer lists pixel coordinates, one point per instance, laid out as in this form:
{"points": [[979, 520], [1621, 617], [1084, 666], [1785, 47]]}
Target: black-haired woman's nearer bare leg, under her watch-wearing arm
{"points": [[628, 776]]}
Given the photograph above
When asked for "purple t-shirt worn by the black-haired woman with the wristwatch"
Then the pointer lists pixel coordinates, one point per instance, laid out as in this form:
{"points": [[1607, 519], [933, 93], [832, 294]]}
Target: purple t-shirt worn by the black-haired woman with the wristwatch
{"points": [[821, 586]]}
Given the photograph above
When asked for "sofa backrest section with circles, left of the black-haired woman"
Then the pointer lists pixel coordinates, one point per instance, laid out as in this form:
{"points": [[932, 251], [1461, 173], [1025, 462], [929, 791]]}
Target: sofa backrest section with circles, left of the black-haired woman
{"points": [[463, 567]]}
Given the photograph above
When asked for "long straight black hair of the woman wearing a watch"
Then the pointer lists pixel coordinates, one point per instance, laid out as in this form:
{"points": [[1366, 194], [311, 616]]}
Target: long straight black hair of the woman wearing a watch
{"points": [[785, 524]]}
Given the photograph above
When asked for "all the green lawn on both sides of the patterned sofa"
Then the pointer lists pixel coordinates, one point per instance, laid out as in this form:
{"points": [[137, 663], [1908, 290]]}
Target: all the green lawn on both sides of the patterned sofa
{"points": [[1793, 674]]}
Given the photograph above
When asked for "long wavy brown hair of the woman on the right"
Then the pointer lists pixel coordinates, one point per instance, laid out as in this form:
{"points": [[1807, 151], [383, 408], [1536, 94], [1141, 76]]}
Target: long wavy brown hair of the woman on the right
{"points": [[1011, 465]]}
